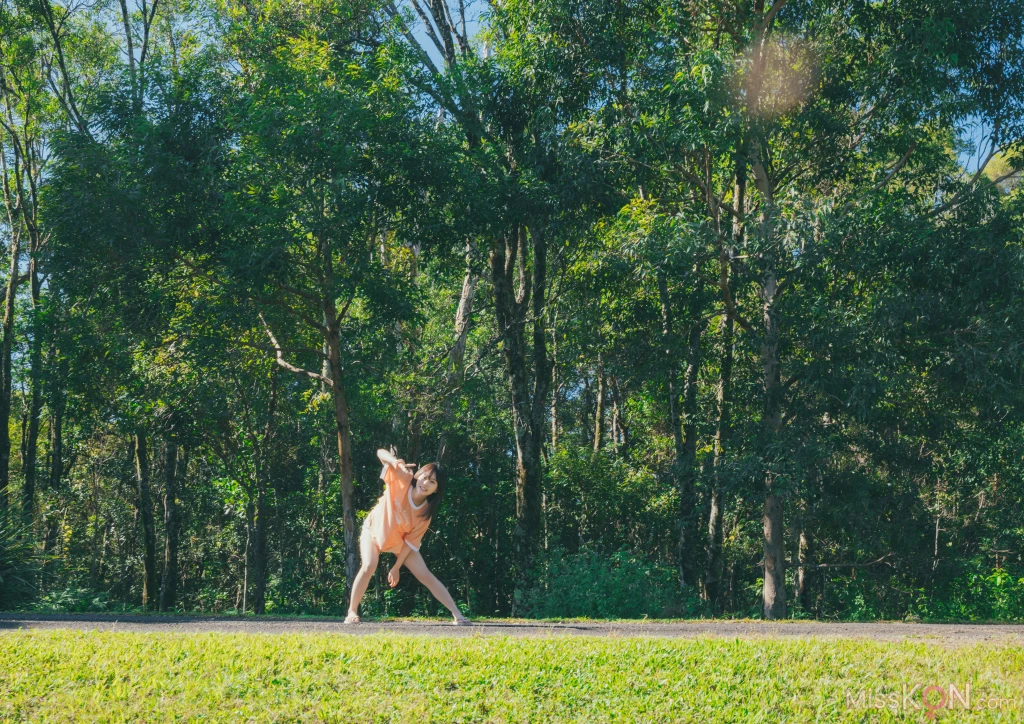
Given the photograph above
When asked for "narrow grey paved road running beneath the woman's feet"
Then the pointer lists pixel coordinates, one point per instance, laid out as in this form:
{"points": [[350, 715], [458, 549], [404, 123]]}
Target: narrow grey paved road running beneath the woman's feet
{"points": [[938, 633]]}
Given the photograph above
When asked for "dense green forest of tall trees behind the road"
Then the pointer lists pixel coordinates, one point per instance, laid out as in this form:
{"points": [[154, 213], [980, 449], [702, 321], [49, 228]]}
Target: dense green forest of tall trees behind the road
{"points": [[708, 309]]}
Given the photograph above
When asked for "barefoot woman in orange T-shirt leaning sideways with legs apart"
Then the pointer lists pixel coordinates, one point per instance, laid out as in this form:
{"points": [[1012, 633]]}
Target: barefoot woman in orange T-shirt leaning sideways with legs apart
{"points": [[397, 526]]}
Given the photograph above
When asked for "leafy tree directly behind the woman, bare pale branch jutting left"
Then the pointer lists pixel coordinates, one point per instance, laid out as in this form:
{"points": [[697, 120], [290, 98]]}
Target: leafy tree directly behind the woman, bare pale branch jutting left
{"points": [[317, 210]]}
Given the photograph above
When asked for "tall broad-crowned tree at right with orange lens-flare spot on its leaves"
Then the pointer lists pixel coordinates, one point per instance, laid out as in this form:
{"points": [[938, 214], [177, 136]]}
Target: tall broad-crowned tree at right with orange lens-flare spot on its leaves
{"points": [[770, 99]]}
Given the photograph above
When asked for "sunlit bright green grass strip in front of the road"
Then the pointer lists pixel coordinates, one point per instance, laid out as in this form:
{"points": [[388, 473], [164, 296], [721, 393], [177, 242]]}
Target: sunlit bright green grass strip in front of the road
{"points": [[113, 677]]}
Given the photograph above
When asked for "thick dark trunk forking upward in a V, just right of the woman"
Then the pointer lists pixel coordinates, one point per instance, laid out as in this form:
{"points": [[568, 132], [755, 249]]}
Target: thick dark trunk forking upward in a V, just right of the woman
{"points": [[528, 411]]}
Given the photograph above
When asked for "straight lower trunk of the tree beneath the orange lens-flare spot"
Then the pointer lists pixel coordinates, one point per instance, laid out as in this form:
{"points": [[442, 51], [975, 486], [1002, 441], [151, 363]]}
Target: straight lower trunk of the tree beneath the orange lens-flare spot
{"points": [[775, 559]]}
